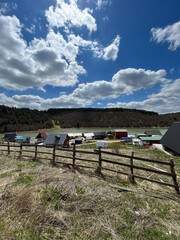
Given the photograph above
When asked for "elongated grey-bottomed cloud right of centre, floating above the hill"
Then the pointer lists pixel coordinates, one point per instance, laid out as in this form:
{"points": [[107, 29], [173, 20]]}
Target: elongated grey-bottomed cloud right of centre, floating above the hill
{"points": [[125, 81]]}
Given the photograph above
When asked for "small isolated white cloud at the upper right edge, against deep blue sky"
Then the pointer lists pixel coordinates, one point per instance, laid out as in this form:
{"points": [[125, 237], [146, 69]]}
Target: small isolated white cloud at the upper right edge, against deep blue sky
{"points": [[170, 34]]}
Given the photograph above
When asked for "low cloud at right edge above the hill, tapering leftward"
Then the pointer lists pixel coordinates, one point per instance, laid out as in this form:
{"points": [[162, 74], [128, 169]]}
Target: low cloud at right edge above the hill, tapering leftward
{"points": [[163, 102]]}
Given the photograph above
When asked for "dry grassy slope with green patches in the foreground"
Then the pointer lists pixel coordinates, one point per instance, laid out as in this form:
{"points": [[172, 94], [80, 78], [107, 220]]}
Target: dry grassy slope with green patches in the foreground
{"points": [[38, 202]]}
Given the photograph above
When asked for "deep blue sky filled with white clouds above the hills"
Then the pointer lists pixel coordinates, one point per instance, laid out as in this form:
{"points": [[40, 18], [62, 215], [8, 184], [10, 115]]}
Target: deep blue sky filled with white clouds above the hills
{"points": [[90, 53]]}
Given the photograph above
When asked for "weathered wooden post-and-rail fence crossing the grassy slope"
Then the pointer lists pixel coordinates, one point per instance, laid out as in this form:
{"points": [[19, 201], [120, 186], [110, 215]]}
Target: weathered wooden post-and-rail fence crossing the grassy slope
{"points": [[99, 161]]}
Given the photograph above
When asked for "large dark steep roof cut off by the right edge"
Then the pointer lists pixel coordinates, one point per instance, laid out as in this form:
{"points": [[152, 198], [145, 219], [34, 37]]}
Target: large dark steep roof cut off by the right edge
{"points": [[171, 138]]}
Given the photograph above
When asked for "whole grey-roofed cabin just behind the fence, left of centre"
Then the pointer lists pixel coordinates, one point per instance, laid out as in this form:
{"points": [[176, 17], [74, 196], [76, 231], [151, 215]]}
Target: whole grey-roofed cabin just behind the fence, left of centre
{"points": [[61, 140]]}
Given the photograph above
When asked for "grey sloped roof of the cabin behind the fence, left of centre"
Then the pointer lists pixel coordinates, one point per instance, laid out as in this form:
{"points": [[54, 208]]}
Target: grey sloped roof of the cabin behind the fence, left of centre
{"points": [[55, 139]]}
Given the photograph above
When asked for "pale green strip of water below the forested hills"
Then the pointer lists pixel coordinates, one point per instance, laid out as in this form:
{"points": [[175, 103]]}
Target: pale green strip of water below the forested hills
{"points": [[131, 131]]}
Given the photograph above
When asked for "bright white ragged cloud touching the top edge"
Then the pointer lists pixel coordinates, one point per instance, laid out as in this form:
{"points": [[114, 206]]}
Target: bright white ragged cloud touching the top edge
{"points": [[65, 14]]}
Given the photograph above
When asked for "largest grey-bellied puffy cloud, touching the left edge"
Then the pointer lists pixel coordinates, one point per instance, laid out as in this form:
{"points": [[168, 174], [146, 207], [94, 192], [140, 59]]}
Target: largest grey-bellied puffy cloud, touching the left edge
{"points": [[43, 61]]}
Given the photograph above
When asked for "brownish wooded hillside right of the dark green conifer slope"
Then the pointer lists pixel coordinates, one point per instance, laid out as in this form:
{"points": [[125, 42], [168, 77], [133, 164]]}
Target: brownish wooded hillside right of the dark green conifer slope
{"points": [[111, 117]]}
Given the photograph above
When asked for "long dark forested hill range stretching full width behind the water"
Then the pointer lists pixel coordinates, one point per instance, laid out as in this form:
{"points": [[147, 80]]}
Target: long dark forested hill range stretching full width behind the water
{"points": [[24, 119]]}
